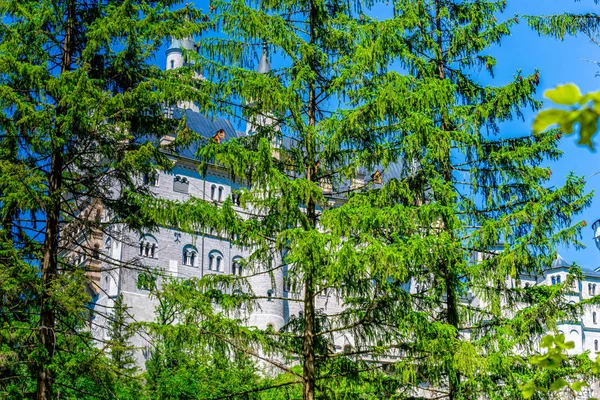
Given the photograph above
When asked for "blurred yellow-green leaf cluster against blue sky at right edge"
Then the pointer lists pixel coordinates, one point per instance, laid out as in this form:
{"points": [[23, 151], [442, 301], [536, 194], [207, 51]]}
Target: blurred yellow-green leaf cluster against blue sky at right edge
{"points": [[584, 111]]}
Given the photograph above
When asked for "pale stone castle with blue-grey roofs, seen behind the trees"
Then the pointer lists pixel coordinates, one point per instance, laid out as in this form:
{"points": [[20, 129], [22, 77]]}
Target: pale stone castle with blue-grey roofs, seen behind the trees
{"points": [[181, 255]]}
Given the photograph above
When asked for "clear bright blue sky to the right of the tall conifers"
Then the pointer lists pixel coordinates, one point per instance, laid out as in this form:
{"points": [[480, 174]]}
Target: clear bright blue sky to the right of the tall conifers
{"points": [[558, 62]]}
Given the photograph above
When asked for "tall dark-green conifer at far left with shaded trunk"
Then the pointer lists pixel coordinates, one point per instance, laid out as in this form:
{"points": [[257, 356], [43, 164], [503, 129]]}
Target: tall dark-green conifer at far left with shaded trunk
{"points": [[80, 99]]}
